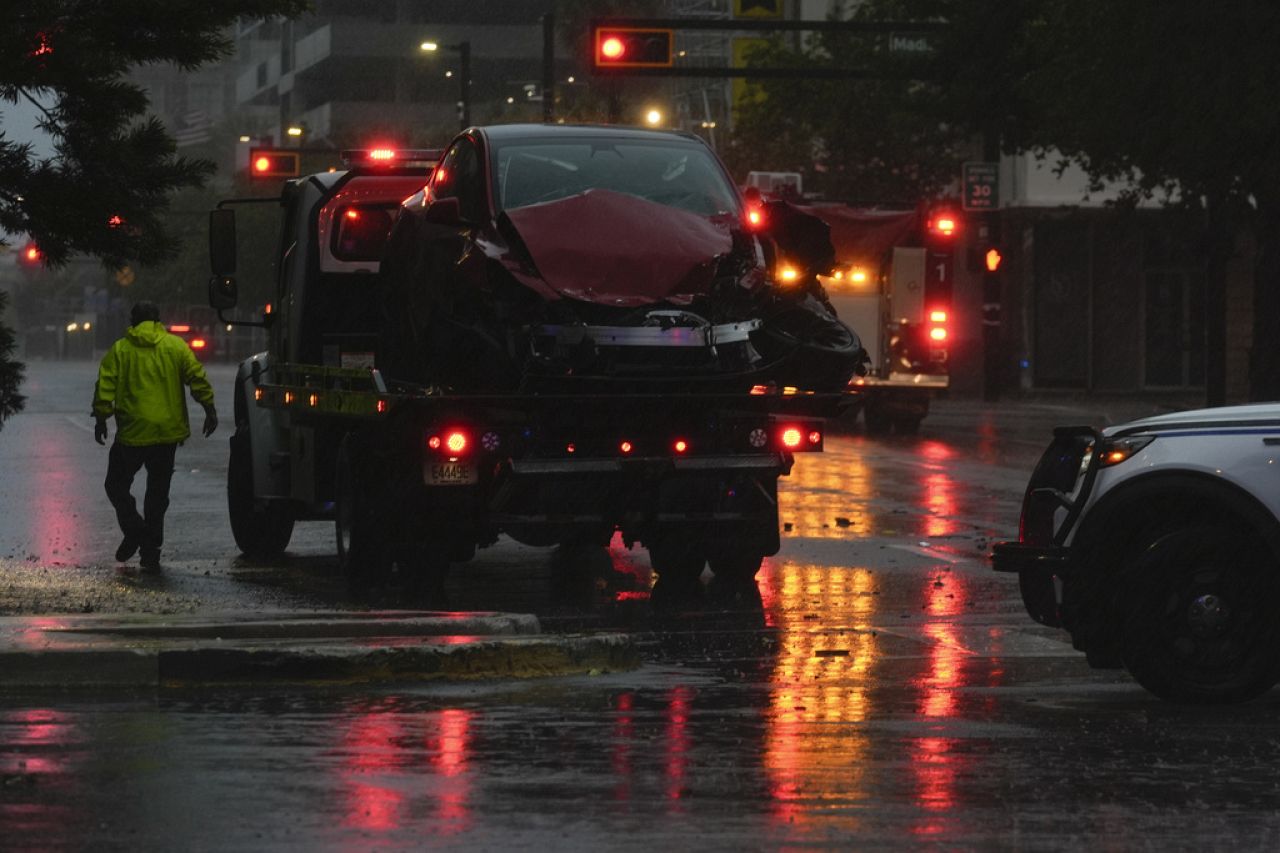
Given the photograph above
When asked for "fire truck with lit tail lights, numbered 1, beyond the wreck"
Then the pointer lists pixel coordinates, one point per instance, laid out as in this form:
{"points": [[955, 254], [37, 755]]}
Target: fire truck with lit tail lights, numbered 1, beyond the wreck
{"points": [[893, 284]]}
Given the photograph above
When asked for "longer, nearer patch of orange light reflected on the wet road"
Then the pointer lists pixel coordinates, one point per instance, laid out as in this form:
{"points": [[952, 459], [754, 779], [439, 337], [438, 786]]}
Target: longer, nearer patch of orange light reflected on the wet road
{"points": [[822, 681]]}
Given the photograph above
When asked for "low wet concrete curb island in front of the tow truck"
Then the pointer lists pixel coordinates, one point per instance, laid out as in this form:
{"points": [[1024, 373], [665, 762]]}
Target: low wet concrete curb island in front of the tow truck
{"points": [[295, 647]]}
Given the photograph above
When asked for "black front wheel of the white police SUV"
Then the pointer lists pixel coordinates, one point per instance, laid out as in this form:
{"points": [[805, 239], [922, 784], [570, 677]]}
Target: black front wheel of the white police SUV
{"points": [[1201, 622]]}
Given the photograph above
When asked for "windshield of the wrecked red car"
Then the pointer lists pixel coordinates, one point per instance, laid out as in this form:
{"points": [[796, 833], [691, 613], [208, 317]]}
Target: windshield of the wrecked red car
{"points": [[671, 174]]}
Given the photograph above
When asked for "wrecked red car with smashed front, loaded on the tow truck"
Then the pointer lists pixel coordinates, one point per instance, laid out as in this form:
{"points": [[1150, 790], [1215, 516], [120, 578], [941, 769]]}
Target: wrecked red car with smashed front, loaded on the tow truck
{"points": [[557, 258]]}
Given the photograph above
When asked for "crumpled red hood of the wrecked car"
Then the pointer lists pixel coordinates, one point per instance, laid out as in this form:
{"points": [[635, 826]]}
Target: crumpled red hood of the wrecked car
{"points": [[614, 249]]}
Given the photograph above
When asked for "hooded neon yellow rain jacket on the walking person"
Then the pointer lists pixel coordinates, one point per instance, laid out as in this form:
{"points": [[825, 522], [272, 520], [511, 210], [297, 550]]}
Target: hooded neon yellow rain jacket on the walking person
{"points": [[141, 382]]}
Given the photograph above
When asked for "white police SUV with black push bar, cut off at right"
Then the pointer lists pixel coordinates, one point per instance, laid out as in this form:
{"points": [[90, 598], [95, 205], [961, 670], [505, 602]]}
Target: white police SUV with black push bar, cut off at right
{"points": [[1156, 544]]}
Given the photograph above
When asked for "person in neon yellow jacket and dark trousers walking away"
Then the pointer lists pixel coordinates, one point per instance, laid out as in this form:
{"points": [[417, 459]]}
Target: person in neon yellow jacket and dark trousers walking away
{"points": [[141, 384]]}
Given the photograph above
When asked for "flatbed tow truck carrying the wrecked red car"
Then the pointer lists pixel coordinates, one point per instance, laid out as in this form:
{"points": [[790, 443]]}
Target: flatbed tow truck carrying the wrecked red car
{"points": [[415, 475]]}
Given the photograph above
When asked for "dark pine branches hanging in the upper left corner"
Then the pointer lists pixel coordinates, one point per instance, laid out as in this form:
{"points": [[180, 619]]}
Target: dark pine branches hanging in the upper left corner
{"points": [[104, 193]]}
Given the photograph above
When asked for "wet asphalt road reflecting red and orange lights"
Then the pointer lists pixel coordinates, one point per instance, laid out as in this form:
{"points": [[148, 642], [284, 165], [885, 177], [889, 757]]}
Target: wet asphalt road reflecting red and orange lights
{"points": [[886, 692]]}
